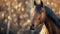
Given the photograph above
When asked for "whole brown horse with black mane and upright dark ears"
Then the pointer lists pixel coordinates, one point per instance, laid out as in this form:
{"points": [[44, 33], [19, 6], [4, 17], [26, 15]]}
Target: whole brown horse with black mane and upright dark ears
{"points": [[45, 15]]}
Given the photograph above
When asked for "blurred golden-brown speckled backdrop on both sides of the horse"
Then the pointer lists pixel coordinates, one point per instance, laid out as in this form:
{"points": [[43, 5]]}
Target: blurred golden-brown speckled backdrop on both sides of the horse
{"points": [[15, 14]]}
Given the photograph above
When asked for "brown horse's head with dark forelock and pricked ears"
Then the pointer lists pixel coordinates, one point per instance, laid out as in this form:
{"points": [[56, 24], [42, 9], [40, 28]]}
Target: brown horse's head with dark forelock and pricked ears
{"points": [[39, 14]]}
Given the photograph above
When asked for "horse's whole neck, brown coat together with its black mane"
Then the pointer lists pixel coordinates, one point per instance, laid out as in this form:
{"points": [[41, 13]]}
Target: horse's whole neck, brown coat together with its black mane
{"points": [[51, 20]]}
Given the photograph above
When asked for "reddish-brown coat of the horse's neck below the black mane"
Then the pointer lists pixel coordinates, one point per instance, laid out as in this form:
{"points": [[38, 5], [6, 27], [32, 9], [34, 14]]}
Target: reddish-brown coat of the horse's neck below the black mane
{"points": [[52, 28]]}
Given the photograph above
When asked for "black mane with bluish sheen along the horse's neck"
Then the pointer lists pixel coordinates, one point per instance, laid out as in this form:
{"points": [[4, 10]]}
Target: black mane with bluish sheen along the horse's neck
{"points": [[52, 16]]}
